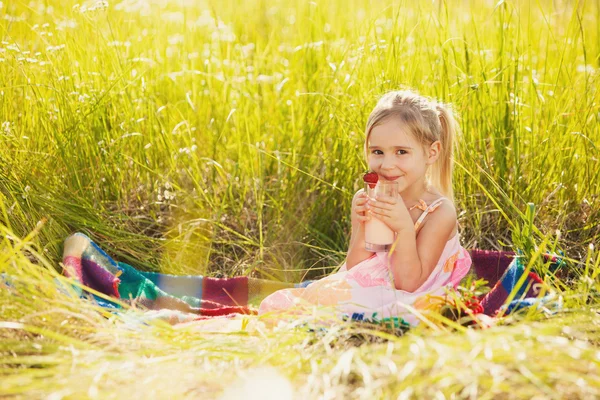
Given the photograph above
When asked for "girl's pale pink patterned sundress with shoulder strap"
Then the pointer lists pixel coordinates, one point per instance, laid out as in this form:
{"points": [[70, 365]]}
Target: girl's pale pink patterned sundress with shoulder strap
{"points": [[367, 290]]}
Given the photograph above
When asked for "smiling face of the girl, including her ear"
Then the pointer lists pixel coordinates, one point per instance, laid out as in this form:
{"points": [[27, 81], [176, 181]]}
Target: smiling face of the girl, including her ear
{"points": [[395, 155]]}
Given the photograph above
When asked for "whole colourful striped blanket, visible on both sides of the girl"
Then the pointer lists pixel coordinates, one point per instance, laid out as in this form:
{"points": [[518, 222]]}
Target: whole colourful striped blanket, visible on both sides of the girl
{"points": [[182, 298]]}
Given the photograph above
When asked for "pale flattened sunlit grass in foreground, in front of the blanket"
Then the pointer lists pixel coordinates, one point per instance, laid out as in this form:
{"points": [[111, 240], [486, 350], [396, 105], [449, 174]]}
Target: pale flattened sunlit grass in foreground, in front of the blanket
{"points": [[53, 343]]}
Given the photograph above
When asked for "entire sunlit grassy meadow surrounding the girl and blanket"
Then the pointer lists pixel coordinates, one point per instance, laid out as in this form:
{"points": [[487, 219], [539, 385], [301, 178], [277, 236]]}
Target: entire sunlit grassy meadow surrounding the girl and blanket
{"points": [[224, 138]]}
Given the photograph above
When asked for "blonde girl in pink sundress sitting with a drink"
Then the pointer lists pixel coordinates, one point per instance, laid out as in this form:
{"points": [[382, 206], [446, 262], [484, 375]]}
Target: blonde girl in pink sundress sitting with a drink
{"points": [[408, 140]]}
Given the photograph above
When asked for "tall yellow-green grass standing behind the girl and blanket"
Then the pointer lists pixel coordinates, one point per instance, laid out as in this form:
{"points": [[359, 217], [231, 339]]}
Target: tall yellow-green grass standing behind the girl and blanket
{"points": [[227, 137]]}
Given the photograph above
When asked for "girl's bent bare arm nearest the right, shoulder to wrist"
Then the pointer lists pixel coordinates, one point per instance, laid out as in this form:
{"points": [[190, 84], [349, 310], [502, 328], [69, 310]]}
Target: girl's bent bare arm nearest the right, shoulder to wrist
{"points": [[415, 256]]}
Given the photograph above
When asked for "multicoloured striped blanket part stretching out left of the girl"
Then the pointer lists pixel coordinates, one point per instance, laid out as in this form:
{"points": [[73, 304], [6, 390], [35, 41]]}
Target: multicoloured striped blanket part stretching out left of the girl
{"points": [[86, 262]]}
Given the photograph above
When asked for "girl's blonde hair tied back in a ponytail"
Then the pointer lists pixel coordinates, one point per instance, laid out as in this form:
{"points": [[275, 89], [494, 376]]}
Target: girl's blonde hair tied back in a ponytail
{"points": [[428, 121]]}
